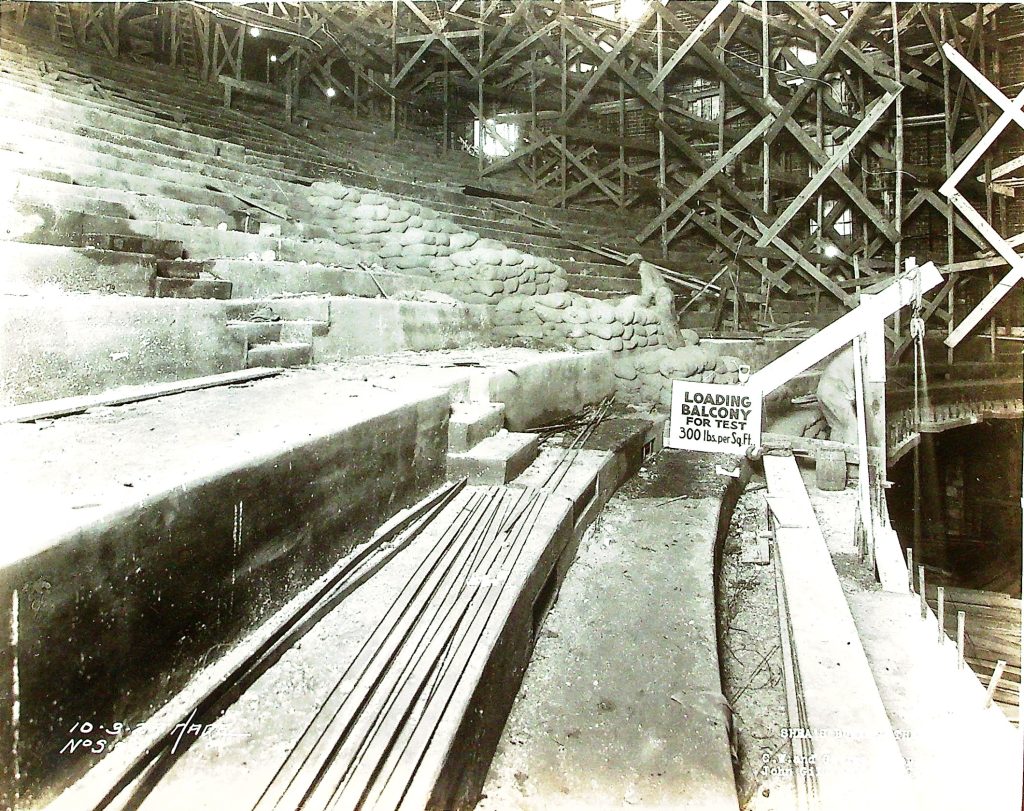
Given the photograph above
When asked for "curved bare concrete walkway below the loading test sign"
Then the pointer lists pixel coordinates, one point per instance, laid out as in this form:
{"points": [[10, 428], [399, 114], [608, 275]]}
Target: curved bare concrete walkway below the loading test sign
{"points": [[622, 706]]}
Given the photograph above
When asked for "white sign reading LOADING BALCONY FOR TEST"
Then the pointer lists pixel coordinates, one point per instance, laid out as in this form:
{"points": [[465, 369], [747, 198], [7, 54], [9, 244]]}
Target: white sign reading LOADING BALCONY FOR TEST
{"points": [[716, 418]]}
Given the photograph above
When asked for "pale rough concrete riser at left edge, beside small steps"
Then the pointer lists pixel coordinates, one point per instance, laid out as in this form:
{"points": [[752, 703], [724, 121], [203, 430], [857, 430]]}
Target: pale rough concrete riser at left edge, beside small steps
{"points": [[59, 347]]}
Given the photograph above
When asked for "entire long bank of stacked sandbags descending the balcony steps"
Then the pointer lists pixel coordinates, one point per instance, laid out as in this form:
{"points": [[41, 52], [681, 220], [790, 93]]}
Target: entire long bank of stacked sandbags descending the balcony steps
{"points": [[530, 294]]}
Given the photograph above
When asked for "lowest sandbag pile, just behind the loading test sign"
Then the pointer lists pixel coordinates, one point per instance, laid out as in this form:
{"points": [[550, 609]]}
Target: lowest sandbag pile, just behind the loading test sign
{"points": [[648, 376]]}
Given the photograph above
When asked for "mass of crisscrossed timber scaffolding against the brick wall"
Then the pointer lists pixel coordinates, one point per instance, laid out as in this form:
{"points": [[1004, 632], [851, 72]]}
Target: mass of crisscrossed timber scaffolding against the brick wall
{"points": [[776, 134]]}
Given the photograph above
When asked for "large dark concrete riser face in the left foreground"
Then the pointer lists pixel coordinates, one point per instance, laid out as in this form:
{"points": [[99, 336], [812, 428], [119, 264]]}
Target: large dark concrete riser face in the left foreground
{"points": [[116, 617]]}
